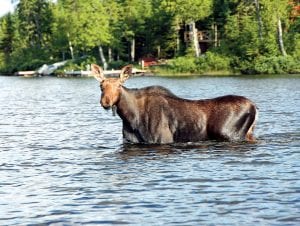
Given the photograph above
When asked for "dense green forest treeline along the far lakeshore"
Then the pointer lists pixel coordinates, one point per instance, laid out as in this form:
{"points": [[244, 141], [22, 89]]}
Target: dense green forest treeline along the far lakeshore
{"points": [[247, 36]]}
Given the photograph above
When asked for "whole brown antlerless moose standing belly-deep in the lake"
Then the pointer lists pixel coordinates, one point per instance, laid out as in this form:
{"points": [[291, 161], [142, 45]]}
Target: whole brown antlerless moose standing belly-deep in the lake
{"points": [[154, 115]]}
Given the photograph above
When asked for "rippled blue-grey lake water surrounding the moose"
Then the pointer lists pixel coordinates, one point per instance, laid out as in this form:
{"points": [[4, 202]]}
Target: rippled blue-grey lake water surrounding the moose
{"points": [[63, 162]]}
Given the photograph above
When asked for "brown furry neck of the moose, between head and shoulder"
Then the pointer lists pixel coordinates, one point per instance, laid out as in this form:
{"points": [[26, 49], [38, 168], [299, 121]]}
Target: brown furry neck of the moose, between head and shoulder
{"points": [[127, 106]]}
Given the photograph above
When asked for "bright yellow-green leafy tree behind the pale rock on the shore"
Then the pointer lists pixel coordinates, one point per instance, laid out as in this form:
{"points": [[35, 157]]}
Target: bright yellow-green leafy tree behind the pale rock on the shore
{"points": [[84, 23]]}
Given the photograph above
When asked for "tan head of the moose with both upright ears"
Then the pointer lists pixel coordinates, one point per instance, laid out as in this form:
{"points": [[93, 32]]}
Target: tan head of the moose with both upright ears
{"points": [[110, 87]]}
